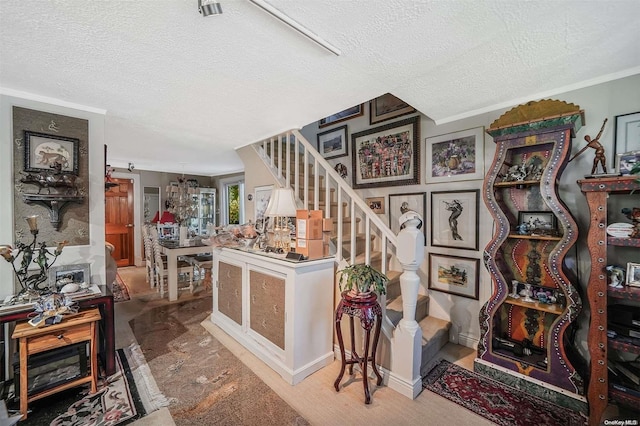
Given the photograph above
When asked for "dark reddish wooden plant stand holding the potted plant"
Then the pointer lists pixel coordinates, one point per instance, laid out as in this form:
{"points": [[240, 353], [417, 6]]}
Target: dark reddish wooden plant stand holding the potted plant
{"points": [[368, 310]]}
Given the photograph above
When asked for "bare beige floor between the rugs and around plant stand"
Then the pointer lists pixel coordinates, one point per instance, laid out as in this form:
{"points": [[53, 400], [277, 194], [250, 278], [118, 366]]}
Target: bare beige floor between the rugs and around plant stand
{"points": [[314, 398]]}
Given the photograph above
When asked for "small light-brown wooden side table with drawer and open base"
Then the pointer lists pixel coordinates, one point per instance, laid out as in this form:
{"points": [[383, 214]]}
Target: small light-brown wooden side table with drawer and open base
{"points": [[32, 340]]}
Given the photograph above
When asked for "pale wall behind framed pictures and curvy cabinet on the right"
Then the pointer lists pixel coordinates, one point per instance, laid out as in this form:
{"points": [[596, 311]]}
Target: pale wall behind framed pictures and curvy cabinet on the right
{"points": [[599, 102]]}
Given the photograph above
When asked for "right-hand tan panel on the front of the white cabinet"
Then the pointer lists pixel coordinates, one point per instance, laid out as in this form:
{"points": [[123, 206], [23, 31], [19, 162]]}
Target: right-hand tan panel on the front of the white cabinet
{"points": [[266, 308]]}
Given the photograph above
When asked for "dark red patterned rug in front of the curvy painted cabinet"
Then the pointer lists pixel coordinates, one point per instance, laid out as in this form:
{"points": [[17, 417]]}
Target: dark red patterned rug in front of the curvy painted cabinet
{"points": [[495, 401]]}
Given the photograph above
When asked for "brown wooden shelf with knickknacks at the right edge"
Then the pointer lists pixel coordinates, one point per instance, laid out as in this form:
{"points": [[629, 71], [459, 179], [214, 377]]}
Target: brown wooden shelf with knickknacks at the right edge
{"points": [[613, 292]]}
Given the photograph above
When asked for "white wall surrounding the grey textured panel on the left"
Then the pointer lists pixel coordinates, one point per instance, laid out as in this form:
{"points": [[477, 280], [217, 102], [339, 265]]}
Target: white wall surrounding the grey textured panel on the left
{"points": [[94, 252]]}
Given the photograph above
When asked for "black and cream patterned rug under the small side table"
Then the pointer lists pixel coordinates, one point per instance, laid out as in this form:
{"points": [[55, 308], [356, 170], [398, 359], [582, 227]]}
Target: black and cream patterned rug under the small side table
{"points": [[117, 402]]}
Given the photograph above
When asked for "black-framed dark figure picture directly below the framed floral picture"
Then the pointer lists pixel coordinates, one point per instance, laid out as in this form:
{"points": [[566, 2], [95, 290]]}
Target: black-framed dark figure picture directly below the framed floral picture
{"points": [[455, 218]]}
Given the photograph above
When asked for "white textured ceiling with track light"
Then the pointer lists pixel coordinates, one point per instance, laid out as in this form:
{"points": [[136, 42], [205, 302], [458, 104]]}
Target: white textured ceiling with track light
{"points": [[182, 91]]}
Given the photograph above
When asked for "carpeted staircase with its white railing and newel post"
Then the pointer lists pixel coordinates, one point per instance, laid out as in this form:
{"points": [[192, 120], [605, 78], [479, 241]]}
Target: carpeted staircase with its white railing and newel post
{"points": [[410, 338]]}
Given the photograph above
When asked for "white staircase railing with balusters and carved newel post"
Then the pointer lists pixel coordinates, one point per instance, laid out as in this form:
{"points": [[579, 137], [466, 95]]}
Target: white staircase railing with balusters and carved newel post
{"points": [[295, 163]]}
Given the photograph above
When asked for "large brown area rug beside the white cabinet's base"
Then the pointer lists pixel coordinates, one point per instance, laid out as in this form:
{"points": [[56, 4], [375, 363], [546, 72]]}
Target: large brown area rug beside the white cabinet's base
{"points": [[203, 381]]}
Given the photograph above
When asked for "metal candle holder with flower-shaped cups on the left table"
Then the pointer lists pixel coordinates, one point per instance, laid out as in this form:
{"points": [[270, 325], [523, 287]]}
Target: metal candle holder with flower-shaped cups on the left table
{"points": [[31, 280]]}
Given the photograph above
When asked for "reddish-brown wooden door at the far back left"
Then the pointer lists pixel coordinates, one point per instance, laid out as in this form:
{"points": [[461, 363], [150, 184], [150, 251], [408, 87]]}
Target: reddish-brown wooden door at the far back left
{"points": [[119, 221]]}
